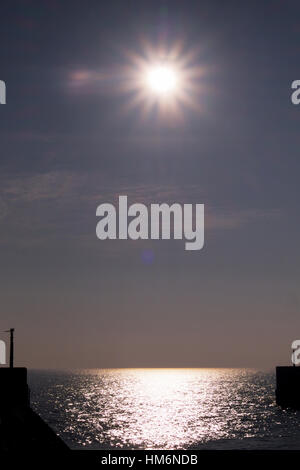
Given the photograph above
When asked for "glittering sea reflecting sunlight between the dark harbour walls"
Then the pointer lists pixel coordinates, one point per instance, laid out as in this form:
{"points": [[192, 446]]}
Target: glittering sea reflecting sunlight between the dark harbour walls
{"points": [[164, 408]]}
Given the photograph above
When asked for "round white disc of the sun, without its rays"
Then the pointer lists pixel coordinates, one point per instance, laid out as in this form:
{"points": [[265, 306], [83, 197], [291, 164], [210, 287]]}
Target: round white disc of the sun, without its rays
{"points": [[162, 79]]}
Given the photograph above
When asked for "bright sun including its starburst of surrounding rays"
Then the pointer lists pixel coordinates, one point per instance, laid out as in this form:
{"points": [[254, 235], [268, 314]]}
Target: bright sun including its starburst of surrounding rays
{"points": [[163, 81]]}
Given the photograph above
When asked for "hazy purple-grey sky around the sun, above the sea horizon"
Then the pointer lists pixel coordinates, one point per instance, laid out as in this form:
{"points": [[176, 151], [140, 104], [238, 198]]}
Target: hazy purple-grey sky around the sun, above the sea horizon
{"points": [[70, 140]]}
